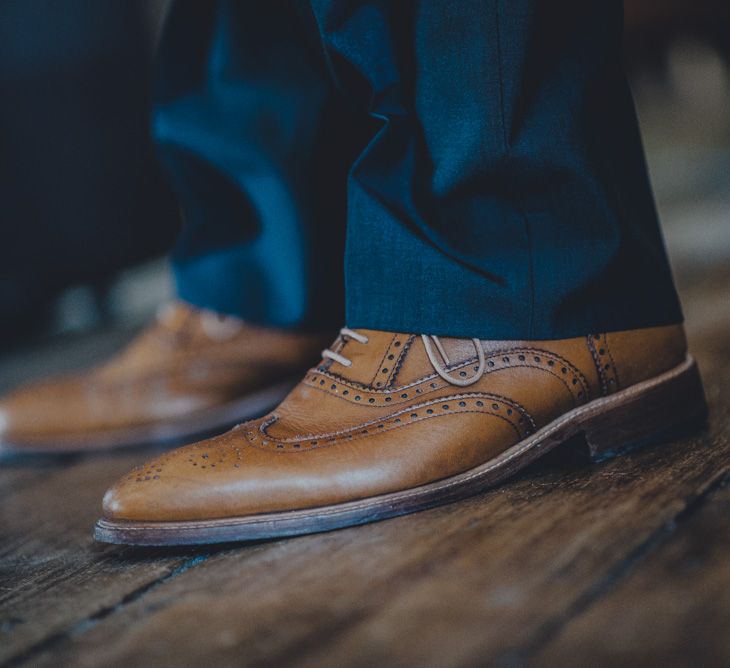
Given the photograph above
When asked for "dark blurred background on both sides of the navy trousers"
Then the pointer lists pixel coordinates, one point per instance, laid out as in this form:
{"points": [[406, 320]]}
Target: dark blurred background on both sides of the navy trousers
{"points": [[87, 217]]}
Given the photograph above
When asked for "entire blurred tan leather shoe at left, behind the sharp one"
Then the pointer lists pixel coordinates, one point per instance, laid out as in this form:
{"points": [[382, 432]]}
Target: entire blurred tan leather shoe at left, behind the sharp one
{"points": [[191, 373]]}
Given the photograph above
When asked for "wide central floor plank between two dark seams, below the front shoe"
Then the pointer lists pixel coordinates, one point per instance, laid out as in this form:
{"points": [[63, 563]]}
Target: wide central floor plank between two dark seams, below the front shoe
{"points": [[488, 580]]}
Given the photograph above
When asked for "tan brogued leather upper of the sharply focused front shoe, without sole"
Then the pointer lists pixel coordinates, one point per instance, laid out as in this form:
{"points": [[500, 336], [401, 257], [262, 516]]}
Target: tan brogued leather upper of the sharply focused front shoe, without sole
{"points": [[389, 422]]}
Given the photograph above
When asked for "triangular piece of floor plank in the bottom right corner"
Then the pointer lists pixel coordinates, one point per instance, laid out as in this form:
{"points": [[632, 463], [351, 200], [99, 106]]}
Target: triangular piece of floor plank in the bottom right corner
{"points": [[674, 609]]}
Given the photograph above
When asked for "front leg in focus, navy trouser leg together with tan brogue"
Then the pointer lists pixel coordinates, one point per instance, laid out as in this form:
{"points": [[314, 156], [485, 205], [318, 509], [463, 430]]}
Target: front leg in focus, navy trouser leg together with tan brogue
{"points": [[507, 286]]}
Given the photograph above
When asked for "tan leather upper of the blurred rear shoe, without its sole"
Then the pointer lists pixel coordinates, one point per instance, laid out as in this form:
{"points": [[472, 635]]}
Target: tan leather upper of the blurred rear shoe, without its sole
{"points": [[188, 361]]}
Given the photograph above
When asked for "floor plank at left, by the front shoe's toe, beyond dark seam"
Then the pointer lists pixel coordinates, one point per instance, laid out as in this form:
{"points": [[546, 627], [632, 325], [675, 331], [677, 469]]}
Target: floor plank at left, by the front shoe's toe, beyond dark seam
{"points": [[52, 574]]}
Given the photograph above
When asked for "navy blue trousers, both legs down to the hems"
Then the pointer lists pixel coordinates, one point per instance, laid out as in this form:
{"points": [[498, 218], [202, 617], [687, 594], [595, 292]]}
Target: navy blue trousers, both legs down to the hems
{"points": [[483, 157]]}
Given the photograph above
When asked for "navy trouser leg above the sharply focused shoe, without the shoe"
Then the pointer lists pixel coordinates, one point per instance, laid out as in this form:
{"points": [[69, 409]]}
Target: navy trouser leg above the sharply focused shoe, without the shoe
{"points": [[506, 187]]}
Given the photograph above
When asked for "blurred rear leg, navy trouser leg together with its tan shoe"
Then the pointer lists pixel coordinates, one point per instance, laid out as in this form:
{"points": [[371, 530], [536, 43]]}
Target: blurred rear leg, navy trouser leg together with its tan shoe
{"points": [[257, 148]]}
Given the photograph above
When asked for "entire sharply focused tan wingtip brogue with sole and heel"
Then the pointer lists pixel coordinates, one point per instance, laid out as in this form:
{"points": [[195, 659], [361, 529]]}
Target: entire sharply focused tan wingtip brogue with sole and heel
{"points": [[393, 423]]}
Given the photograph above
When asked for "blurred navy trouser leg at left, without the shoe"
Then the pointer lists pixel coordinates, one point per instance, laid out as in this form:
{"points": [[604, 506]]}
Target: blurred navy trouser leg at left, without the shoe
{"points": [[257, 148]]}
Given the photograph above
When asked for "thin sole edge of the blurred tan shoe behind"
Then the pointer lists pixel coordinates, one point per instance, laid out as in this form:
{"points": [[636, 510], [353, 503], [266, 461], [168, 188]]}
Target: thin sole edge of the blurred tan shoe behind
{"points": [[173, 432]]}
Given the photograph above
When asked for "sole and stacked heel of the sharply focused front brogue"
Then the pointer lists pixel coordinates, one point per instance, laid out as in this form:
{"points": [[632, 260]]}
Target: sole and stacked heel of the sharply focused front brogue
{"points": [[649, 411]]}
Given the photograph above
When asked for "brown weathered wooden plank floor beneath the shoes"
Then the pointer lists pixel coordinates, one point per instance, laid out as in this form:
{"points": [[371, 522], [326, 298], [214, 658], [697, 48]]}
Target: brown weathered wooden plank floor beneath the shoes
{"points": [[623, 563]]}
